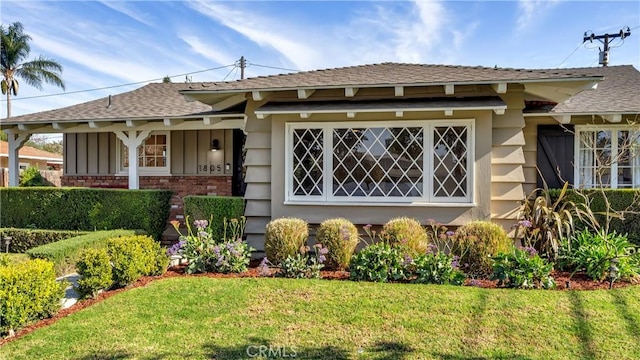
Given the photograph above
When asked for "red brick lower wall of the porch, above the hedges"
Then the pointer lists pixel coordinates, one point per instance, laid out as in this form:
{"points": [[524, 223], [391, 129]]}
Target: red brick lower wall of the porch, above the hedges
{"points": [[180, 185]]}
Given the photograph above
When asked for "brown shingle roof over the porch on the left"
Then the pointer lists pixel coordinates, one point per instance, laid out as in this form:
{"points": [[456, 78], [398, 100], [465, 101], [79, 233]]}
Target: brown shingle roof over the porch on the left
{"points": [[155, 100]]}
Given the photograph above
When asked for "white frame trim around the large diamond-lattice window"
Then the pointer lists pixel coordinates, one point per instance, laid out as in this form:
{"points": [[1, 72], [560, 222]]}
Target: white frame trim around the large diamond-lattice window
{"points": [[327, 197]]}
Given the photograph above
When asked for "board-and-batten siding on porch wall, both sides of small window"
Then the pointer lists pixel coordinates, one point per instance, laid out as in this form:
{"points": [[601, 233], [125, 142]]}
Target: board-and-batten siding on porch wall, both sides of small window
{"points": [[96, 153]]}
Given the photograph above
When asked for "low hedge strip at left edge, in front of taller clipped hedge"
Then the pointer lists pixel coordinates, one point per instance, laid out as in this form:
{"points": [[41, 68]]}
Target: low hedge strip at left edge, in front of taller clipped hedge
{"points": [[25, 239]]}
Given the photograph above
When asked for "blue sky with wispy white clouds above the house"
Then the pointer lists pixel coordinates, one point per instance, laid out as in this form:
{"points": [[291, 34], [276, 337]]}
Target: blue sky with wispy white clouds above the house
{"points": [[106, 44]]}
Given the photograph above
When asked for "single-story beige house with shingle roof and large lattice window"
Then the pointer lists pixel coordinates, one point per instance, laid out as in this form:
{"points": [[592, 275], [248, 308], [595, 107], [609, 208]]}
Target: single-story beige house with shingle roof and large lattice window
{"points": [[371, 142]]}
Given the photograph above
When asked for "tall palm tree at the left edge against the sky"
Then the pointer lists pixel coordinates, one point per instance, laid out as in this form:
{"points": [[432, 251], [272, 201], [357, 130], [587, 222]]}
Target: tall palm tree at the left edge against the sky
{"points": [[15, 50]]}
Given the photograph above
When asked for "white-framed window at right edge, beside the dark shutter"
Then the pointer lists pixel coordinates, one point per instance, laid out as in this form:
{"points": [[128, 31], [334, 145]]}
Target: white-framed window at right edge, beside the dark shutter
{"points": [[608, 157]]}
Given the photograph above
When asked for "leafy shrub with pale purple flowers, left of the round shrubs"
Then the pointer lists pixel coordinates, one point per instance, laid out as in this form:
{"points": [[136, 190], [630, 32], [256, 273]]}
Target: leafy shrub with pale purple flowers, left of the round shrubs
{"points": [[204, 253]]}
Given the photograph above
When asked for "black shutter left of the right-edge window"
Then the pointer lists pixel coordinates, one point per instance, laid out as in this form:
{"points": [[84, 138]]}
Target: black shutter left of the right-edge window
{"points": [[555, 154]]}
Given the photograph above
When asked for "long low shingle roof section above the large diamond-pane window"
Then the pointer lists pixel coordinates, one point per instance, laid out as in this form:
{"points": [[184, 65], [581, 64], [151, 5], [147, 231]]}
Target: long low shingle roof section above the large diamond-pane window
{"points": [[391, 74]]}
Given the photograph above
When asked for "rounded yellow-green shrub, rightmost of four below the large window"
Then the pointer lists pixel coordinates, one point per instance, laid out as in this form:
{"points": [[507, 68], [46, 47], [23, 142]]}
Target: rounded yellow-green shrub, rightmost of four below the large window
{"points": [[476, 242]]}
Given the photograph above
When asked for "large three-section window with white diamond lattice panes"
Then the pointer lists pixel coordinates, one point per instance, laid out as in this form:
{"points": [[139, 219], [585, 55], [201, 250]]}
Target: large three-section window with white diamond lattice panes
{"points": [[416, 161]]}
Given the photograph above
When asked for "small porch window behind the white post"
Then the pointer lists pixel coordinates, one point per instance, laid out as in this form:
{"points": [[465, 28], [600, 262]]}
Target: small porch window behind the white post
{"points": [[152, 154]]}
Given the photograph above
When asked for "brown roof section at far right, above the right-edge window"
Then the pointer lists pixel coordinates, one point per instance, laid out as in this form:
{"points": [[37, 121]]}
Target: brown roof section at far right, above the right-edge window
{"points": [[619, 92]]}
